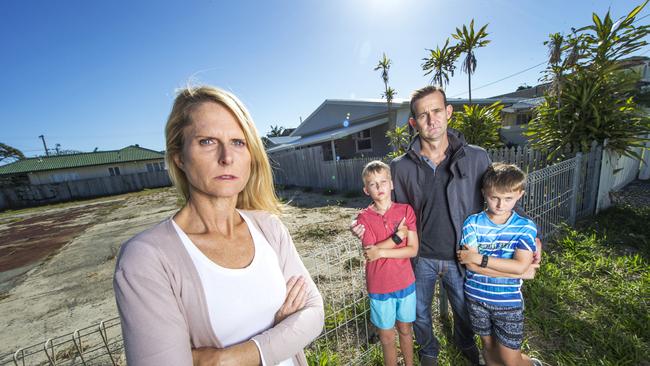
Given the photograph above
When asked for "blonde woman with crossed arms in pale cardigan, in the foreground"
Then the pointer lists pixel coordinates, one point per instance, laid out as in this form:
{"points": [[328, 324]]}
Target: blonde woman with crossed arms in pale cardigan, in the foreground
{"points": [[219, 283]]}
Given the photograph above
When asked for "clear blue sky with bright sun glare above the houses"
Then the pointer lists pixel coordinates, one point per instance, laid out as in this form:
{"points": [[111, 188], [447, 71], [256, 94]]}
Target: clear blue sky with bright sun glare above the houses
{"points": [[103, 74]]}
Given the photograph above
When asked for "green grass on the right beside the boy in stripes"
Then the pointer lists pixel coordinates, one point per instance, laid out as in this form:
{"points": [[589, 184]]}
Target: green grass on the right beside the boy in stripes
{"points": [[590, 301]]}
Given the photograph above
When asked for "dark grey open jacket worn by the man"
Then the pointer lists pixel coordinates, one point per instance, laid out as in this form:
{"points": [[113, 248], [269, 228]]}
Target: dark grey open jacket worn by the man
{"points": [[467, 164]]}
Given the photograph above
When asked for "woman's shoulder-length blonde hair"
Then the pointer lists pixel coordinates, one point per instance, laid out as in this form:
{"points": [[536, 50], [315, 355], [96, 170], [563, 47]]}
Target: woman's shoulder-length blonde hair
{"points": [[259, 192]]}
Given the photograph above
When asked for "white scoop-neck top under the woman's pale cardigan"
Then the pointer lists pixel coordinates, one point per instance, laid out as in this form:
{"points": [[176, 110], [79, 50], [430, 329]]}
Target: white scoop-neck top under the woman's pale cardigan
{"points": [[241, 302]]}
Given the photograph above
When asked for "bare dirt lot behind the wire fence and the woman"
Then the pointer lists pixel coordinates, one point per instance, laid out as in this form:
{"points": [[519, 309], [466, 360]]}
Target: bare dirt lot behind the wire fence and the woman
{"points": [[57, 262]]}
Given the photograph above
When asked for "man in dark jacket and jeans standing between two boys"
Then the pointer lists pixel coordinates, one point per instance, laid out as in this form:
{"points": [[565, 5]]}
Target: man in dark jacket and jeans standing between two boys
{"points": [[440, 177]]}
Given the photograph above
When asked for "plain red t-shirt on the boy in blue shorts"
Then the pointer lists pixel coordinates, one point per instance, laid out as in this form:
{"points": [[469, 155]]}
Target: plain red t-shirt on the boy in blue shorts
{"points": [[386, 275]]}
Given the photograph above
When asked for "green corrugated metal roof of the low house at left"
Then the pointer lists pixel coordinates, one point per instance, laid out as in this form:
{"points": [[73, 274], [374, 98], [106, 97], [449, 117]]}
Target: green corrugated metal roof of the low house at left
{"points": [[129, 153]]}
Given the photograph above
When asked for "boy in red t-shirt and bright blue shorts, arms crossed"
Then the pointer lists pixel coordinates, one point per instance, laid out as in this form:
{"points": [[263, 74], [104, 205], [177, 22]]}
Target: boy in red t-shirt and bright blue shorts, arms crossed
{"points": [[389, 241]]}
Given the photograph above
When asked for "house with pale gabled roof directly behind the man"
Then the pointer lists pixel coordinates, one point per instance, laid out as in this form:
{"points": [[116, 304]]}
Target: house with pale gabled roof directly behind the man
{"points": [[352, 128]]}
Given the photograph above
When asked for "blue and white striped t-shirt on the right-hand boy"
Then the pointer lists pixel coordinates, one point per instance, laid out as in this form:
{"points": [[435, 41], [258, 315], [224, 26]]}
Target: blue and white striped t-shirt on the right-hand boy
{"points": [[499, 241]]}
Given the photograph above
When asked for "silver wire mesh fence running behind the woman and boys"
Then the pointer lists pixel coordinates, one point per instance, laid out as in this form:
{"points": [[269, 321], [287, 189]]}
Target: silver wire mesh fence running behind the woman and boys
{"points": [[555, 194]]}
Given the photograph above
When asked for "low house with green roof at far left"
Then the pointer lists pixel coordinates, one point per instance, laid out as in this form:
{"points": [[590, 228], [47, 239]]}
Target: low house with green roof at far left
{"points": [[73, 167]]}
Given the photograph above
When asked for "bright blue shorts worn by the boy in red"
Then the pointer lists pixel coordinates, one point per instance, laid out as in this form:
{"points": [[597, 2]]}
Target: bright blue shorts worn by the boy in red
{"points": [[396, 305]]}
